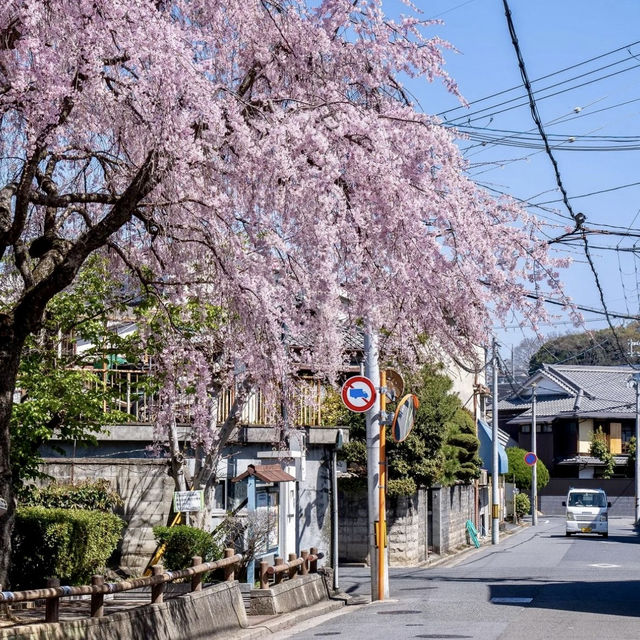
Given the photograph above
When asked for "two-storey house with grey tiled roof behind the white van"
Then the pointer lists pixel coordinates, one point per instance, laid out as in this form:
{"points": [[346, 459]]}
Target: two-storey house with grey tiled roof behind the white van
{"points": [[572, 402]]}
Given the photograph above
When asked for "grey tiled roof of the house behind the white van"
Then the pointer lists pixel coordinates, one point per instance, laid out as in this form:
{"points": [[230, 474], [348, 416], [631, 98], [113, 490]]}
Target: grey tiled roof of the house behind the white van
{"points": [[589, 392]]}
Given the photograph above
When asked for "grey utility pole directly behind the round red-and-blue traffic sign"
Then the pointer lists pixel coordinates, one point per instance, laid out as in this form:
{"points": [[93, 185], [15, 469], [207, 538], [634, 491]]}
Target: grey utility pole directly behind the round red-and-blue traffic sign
{"points": [[376, 519]]}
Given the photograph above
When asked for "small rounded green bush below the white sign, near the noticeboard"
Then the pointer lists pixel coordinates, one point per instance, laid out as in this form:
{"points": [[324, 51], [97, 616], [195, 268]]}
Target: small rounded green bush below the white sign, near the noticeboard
{"points": [[182, 543]]}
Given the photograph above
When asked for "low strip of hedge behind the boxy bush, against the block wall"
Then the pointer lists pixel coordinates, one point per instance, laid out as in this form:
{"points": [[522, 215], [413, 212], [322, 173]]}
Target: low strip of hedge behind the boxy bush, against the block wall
{"points": [[93, 495]]}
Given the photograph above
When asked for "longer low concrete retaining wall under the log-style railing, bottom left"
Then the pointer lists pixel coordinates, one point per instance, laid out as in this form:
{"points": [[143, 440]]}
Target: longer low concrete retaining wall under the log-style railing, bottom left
{"points": [[215, 612]]}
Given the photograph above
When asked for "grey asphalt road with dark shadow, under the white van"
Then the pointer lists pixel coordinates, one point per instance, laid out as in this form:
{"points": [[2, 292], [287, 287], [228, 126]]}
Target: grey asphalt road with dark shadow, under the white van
{"points": [[536, 583]]}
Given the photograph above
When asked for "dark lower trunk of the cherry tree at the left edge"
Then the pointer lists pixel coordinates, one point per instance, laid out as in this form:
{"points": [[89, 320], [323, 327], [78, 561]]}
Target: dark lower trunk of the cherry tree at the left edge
{"points": [[10, 350]]}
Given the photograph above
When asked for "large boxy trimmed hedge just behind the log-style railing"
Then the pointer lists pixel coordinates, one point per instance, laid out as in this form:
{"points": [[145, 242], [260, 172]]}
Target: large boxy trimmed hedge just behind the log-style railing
{"points": [[70, 544]]}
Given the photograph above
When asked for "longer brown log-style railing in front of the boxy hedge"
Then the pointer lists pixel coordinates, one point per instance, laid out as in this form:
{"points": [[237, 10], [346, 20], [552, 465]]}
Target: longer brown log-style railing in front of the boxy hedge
{"points": [[98, 588]]}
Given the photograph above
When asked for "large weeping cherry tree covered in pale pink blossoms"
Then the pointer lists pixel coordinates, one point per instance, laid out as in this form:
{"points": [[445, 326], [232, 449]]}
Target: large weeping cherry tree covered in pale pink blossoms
{"points": [[261, 155]]}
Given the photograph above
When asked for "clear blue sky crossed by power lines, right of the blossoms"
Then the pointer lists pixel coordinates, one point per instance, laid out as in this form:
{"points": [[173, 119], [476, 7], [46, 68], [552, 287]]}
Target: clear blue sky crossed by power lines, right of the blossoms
{"points": [[554, 36]]}
